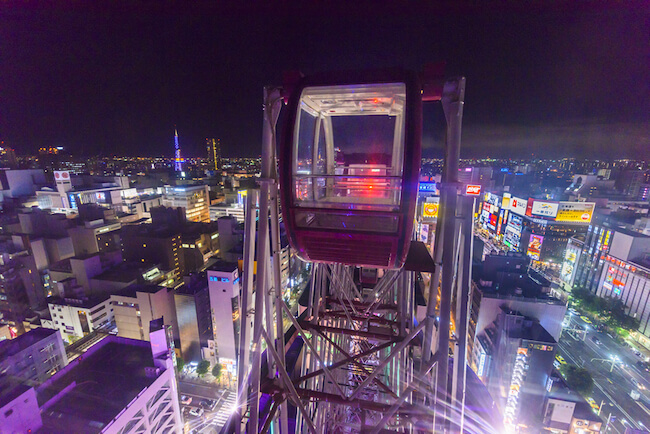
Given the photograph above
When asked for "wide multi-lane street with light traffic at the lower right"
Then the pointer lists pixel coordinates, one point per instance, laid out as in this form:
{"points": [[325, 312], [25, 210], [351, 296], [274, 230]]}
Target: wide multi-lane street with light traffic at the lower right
{"points": [[611, 389]]}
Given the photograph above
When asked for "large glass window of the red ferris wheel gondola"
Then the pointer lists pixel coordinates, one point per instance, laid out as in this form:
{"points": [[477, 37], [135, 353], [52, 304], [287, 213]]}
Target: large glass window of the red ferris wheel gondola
{"points": [[349, 143]]}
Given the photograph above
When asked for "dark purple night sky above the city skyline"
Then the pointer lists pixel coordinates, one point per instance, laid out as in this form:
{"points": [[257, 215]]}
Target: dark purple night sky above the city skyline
{"points": [[107, 78]]}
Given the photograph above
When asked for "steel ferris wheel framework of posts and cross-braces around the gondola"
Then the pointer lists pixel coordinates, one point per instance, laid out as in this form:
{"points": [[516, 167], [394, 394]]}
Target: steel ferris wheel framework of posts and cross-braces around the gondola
{"points": [[357, 367]]}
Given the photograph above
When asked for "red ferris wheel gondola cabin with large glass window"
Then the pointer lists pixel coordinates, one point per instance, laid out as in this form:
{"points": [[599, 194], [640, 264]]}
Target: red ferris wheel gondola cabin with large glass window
{"points": [[349, 163]]}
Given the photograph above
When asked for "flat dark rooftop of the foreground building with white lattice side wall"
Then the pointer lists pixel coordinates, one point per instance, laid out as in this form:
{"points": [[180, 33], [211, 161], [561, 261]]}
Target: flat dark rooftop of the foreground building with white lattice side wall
{"points": [[92, 390]]}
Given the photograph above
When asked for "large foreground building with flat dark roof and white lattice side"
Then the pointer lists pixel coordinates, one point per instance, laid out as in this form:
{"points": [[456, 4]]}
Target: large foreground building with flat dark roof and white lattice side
{"points": [[119, 386]]}
